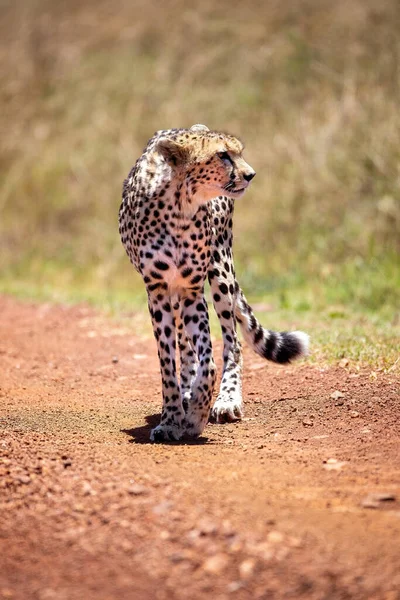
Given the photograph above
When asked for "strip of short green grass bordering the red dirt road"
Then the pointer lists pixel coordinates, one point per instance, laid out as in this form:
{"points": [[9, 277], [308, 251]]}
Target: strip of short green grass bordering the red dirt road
{"points": [[349, 316]]}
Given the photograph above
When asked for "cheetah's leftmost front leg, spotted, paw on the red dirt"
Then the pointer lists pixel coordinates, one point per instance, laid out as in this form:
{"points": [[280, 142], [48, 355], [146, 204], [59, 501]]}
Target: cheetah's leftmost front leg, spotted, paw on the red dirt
{"points": [[172, 416]]}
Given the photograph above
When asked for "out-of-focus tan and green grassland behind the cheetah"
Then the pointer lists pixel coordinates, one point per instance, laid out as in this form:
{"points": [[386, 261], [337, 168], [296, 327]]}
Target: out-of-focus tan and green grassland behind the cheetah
{"points": [[312, 87]]}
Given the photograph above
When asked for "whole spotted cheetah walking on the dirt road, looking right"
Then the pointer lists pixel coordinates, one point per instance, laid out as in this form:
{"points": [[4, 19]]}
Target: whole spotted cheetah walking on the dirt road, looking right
{"points": [[175, 222]]}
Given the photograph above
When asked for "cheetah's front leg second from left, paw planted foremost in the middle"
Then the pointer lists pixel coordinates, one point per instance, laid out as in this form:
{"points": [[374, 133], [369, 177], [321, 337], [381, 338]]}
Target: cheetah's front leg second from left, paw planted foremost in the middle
{"points": [[195, 319]]}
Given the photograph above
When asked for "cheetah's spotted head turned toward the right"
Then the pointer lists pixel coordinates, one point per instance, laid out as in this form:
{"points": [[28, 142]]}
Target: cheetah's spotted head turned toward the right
{"points": [[210, 163]]}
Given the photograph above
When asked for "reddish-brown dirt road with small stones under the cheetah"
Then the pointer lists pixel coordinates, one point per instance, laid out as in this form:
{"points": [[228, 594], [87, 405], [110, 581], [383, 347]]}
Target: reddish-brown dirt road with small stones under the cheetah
{"points": [[299, 500]]}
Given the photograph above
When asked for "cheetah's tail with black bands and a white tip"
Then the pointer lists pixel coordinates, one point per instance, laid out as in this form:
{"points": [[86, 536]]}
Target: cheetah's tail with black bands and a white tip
{"points": [[277, 347]]}
